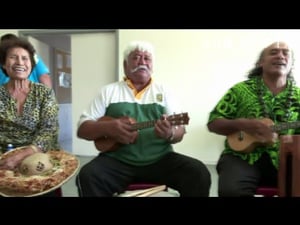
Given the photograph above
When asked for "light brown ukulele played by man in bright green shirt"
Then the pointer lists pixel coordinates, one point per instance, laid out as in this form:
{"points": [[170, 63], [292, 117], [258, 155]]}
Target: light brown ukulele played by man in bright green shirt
{"points": [[243, 142]]}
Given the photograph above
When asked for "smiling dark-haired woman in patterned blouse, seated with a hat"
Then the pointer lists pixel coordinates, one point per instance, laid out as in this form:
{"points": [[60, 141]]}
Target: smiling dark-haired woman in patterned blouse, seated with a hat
{"points": [[29, 111]]}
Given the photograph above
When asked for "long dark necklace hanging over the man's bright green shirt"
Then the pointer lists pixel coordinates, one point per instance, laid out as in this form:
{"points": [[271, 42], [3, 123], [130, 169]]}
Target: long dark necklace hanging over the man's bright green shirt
{"points": [[285, 106]]}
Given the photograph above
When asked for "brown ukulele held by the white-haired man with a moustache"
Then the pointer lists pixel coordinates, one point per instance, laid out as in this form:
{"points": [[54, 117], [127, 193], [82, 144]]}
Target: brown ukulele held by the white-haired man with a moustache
{"points": [[105, 144]]}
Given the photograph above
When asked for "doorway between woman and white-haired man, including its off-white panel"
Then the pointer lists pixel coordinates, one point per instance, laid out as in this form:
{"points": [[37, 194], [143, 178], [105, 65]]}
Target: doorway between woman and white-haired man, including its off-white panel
{"points": [[57, 45]]}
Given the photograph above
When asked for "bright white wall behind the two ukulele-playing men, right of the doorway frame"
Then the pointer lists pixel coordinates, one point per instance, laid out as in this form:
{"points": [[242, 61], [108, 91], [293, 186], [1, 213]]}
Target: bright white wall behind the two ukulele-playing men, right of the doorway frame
{"points": [[201, 65]]}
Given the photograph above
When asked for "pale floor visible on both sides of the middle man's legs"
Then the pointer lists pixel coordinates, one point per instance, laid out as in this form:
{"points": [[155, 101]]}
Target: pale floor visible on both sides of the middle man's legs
{"points": [[70, 189]]}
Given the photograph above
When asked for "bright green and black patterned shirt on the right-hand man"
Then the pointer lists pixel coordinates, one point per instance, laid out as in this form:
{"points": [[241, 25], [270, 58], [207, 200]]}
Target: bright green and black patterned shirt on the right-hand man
{"points": [[242, 101]]}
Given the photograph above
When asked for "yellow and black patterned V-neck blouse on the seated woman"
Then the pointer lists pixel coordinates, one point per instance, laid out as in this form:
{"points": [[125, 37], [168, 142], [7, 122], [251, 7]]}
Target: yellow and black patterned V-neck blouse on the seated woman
{"points": [[37, 124]]}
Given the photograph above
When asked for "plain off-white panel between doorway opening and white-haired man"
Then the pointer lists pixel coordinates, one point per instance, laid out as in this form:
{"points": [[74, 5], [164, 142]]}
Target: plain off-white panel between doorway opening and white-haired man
{"points": [[93, 65]]}
